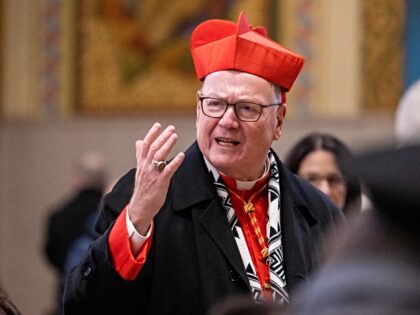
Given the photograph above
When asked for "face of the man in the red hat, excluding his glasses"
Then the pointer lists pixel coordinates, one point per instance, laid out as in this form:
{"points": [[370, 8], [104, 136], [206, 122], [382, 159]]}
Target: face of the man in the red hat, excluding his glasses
{"points": [[236, 148]]}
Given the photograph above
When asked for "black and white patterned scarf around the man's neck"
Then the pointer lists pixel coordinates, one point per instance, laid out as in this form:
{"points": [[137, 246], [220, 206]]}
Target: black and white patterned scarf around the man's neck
{"points": [[275, 259]]}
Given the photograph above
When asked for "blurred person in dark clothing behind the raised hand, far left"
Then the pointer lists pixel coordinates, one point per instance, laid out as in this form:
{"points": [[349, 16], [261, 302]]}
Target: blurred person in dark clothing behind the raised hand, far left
{"points": [[69, 220]]}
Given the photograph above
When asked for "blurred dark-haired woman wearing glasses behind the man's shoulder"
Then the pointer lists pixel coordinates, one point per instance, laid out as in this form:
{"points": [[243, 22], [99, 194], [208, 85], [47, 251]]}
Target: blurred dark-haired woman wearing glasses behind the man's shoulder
{"points": [[321, 158]]}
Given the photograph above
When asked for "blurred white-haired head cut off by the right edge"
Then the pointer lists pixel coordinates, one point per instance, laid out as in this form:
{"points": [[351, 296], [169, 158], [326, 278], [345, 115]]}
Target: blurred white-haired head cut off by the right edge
{"points": [[407, 117]]}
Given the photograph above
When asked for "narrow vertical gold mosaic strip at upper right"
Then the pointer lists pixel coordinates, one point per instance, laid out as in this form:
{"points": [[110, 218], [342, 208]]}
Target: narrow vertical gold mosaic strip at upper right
{"points": [[382, 57]]}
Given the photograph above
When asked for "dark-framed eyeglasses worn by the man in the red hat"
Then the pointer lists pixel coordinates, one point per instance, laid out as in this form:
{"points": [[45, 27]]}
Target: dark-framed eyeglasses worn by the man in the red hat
{"points": [[245, 111]]}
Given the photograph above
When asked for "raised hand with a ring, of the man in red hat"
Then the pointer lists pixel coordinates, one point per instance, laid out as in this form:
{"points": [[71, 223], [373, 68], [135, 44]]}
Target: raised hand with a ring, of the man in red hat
{"points": [[153, 175]]}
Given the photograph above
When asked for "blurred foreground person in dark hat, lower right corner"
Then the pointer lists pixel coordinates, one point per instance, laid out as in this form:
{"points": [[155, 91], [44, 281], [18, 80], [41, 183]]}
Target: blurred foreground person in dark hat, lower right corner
{"points": [[373, 266]]}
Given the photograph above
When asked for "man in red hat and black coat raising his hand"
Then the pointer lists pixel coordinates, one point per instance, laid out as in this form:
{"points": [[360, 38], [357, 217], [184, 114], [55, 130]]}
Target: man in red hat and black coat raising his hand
{"points": [[225, 217]]}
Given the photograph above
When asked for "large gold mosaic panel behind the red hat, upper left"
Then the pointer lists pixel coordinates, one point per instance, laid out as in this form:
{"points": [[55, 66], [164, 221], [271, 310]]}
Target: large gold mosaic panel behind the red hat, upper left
{"points": [[137, 58]]}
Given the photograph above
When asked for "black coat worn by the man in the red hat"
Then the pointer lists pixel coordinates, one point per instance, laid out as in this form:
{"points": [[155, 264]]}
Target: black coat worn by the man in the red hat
{"points": [[194, 261]]}
